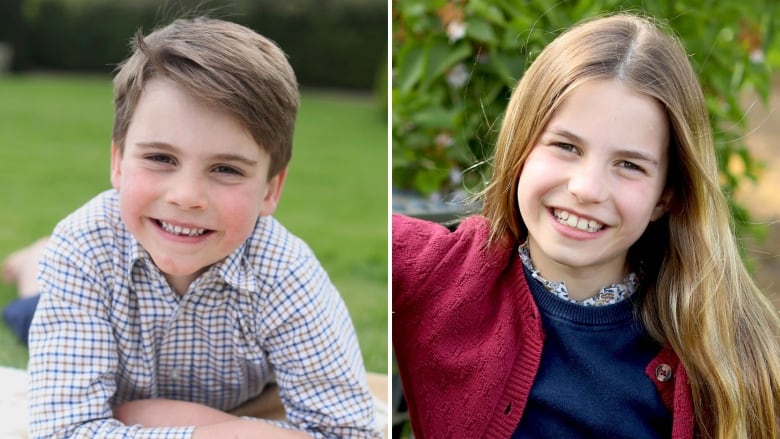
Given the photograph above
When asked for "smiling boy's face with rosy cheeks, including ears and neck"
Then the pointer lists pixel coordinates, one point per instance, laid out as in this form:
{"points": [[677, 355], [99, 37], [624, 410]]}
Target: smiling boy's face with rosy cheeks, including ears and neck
{"points": [[192, 182]]}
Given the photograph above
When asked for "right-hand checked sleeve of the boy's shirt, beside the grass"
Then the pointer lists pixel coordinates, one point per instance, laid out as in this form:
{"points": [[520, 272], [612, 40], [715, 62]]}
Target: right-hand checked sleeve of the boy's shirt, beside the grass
{"points": [[314, 352]]}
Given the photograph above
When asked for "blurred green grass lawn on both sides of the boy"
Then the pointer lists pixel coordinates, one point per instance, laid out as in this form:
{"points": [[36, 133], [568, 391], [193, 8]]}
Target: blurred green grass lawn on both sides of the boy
{"points": [[55, 136]]}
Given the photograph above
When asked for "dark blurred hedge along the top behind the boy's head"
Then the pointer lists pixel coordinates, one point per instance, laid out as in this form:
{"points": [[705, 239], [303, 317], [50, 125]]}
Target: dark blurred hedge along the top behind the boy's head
{"points": [[333, 43]]}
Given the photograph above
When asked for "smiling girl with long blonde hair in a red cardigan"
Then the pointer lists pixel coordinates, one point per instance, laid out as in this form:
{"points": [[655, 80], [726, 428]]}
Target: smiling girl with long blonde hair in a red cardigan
{"points": [[601, 293]]}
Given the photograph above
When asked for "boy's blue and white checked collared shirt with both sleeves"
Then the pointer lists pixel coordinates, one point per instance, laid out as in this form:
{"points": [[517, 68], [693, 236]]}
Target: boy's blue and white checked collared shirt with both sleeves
{"points": [[109, 329]]}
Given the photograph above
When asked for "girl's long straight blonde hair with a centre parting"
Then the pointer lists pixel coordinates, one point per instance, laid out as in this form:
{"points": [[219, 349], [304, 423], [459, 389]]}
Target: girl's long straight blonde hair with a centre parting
{"points": [[699, 298]]}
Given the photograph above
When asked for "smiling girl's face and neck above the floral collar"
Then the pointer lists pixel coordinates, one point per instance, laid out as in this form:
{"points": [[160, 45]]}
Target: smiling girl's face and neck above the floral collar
{"points": [[593, 181]]}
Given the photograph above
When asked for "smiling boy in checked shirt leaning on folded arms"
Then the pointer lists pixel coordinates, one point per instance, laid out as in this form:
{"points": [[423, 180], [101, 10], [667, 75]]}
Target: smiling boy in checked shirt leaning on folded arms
{"points": [[175, 297]]}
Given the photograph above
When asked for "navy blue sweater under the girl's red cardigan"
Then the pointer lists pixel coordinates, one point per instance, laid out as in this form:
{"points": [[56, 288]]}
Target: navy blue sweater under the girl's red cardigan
{"points": [[591, 381]]}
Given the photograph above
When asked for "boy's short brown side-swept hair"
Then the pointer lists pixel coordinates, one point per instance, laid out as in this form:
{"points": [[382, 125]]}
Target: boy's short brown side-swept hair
{"points": [[220, 63]]}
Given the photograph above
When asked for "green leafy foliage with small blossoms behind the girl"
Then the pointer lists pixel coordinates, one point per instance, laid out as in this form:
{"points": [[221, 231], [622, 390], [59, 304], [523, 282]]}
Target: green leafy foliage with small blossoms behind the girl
{"points": [[455, 63]]}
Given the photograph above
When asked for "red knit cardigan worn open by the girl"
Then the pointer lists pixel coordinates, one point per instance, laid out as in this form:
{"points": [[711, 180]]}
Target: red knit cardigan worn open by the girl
{"points": [[468, 338]]}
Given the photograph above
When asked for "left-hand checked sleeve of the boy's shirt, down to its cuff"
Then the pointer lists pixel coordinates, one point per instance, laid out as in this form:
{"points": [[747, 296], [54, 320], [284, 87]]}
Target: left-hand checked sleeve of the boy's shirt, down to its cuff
{"points": [[73, 356]]}
